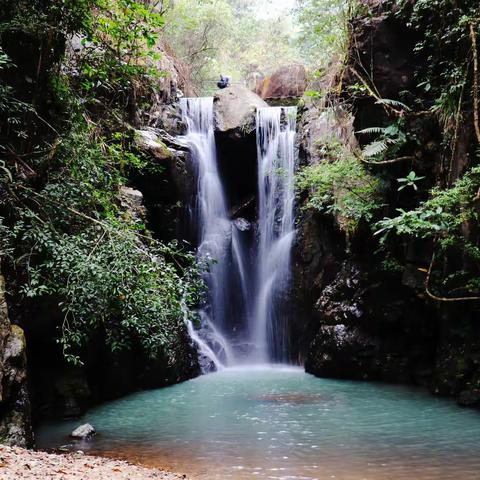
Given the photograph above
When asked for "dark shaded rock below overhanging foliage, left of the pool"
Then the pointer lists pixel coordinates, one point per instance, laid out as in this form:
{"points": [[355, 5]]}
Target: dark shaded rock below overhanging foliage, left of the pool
{"points": [[62, 391]]}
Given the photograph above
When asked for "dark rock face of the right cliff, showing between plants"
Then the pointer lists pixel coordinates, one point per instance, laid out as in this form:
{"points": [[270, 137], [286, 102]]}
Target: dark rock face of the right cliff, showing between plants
{"points": [[363, 321]]}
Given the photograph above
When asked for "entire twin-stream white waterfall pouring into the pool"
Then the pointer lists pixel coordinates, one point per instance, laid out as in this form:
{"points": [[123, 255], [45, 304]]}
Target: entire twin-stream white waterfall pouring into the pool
{"points": [[242, 321]]}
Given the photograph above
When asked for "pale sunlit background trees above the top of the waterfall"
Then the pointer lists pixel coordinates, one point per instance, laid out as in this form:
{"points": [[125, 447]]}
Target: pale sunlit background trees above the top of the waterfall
{"points": [[249, 38]]}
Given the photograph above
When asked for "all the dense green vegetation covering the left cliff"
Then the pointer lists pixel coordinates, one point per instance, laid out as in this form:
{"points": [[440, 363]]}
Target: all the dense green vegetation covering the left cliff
{"points": [[67, 147]]}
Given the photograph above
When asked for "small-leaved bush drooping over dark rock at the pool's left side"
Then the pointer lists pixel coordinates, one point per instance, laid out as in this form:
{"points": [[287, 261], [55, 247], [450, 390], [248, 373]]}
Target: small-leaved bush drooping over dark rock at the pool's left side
{"points": [[109, 283]]}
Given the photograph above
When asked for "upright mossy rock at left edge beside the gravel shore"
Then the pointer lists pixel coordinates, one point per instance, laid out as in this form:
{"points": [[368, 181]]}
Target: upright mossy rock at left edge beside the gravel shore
{"points": [[14, 400]]}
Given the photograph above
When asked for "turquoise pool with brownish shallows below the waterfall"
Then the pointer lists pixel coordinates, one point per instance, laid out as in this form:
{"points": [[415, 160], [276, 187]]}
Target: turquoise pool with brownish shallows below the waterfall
{"points": [[280, 423]]}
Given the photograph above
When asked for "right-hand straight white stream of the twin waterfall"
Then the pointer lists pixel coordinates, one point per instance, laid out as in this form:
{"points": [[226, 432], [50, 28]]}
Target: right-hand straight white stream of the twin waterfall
{"points": [[276, 131]]}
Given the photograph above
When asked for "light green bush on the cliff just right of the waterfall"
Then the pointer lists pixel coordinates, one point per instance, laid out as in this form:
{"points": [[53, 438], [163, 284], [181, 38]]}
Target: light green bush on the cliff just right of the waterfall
{"points": [[342, 187]]}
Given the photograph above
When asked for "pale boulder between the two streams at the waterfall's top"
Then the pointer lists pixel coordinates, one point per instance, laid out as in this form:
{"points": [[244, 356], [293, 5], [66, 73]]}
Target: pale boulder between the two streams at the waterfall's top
{"points": [[235, 110]]}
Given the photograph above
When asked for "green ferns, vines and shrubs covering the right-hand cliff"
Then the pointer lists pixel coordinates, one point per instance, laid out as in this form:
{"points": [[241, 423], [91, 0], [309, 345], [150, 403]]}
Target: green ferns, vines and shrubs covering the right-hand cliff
{"points": [[446, 94]]}
